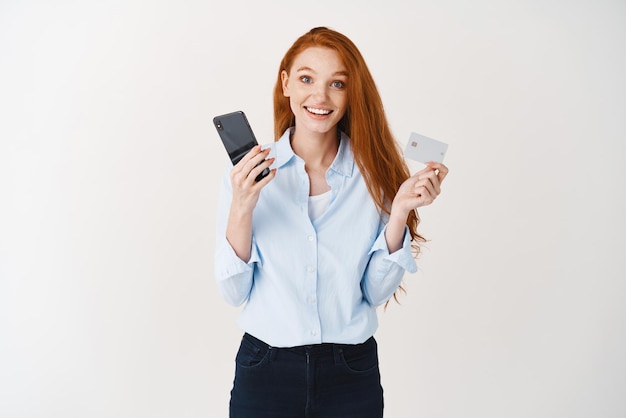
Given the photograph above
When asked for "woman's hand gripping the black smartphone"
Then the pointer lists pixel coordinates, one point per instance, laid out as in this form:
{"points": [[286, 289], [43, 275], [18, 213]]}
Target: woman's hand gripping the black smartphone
{"points": [[243, 176]]}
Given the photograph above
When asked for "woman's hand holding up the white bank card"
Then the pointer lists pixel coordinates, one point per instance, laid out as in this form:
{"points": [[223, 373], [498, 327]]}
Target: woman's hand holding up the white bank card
{"points": [[420, 189]]}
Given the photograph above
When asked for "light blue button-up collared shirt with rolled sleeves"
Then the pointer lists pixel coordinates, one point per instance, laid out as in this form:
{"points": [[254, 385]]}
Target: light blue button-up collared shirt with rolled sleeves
{"points": [[309, 282]]}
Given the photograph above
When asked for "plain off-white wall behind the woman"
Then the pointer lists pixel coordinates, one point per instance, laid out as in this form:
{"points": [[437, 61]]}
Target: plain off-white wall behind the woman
{"points": [[109, 169]]}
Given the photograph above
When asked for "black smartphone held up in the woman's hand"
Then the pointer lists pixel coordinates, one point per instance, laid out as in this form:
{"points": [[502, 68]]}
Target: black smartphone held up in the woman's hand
{"points": [[237, 136]]}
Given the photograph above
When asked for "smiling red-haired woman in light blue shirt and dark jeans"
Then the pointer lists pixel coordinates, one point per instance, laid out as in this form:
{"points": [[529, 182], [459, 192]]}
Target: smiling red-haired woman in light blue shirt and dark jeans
{"points": [[313, 248]]}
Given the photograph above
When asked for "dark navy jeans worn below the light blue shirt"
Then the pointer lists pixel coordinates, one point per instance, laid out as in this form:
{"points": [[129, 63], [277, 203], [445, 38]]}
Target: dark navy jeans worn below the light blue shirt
{"points": [[322, 381]]}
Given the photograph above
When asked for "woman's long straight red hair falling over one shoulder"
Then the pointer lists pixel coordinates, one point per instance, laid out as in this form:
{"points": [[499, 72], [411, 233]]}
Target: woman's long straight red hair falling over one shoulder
{"points": [[375, 149]]}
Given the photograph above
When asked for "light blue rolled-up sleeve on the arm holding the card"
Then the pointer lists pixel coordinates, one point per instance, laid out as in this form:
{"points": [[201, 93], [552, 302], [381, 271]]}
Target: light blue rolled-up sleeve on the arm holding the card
{"points": [[385, 271]]}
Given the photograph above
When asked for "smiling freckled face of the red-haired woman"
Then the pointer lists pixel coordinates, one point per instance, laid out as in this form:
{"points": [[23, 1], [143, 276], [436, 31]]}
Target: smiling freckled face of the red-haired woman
{"points": [[316, 87]]}
